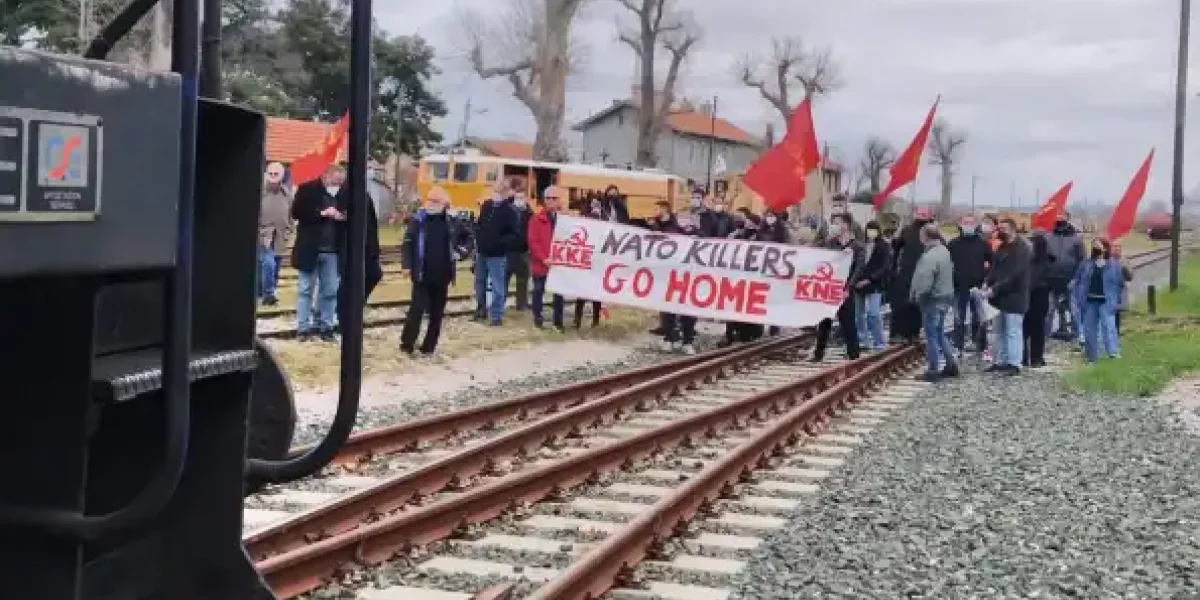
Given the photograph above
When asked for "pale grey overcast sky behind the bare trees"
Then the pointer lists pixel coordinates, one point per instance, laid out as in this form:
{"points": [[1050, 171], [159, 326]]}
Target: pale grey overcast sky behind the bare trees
{"points": [[1047, 91]]}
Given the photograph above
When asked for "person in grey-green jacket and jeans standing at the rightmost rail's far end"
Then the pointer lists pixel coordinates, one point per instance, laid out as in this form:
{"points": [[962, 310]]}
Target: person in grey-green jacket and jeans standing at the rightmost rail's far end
{"points": [[933, 291]]}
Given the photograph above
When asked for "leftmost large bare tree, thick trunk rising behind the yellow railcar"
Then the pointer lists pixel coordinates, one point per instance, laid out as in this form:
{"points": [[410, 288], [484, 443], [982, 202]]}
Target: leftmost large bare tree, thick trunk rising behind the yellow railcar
{"points": [[531, 47]]}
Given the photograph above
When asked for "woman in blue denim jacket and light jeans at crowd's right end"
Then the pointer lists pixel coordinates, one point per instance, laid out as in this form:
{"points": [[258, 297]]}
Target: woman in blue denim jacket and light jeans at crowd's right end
{"points": [[1097, 287]]}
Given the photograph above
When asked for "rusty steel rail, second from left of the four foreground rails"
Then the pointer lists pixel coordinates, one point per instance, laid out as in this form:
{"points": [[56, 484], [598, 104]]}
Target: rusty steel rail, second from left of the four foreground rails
{"points": [[455, 471]]}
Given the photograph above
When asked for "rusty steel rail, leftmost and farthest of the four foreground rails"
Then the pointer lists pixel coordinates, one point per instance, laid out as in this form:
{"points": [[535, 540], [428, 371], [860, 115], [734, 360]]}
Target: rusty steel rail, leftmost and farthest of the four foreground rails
{"points": [[406, 436]]}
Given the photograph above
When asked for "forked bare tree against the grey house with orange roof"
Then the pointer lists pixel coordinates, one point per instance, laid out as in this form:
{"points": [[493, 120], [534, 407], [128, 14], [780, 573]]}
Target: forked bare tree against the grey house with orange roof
{"points": [[659, 25]]}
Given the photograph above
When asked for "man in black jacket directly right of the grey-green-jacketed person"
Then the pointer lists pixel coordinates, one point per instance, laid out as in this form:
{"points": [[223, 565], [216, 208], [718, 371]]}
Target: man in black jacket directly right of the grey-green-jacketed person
{"points": [[971, 256]]}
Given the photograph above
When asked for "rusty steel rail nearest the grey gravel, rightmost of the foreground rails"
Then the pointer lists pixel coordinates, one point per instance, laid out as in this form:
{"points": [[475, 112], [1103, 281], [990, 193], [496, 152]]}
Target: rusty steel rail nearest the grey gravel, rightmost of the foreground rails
{"points": [[599, 569]]}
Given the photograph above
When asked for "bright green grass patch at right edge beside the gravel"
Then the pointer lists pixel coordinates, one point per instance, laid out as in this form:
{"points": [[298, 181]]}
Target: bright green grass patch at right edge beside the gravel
{"points": [[1155, 351]]}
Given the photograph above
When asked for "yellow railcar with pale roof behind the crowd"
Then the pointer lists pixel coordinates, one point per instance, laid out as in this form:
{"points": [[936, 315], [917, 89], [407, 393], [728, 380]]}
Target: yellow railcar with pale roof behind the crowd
{"points": [[470, 179]]}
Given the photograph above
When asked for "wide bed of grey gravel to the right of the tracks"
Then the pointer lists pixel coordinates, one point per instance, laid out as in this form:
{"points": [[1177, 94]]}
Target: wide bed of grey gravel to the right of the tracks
{"points": [[999, 488]]}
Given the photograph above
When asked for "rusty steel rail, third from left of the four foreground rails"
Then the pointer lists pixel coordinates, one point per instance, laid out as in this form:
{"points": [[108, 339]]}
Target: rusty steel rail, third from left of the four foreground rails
{"points": [[305, 568]]}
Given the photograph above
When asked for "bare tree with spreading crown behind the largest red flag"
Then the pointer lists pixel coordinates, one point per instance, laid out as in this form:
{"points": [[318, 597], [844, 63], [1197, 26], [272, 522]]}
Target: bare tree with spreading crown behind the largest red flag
{"points": [[814, 70]]}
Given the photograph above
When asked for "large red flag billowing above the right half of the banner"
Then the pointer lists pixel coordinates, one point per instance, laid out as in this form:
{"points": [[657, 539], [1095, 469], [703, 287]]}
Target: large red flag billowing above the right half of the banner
{"points": [[779, 175]]}
